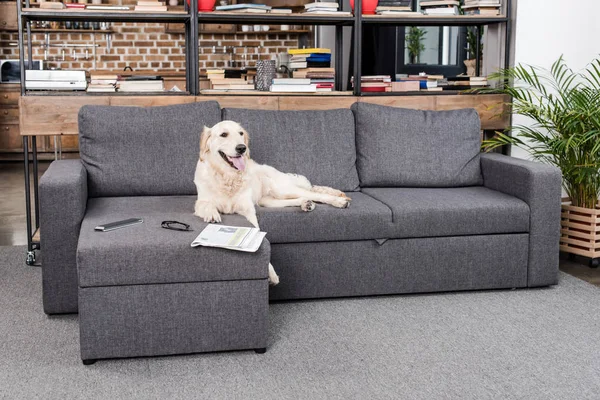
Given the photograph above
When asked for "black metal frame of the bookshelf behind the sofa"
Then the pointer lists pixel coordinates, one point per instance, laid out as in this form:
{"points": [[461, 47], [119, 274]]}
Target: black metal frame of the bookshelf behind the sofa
{"points": [[191, 19]]}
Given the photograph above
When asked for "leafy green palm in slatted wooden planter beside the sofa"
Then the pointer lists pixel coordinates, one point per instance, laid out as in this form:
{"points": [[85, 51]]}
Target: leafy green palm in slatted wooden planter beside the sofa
{"points": [[563, 107]]}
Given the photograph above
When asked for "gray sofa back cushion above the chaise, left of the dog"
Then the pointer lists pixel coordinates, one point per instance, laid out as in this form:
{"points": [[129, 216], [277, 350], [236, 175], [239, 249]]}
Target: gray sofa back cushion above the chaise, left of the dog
{"points": [[141, 151]]}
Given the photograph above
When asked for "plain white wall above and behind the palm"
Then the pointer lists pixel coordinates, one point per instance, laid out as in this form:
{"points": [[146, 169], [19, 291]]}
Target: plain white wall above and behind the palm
{"points": [[545, 29]]}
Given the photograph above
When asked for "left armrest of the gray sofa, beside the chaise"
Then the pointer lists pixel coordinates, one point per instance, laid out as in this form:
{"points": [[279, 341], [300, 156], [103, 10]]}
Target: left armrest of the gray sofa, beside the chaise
{"points": [[63, 200]]}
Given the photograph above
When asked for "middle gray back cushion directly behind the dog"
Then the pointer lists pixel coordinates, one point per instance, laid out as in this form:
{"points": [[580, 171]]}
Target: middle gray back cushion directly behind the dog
{"points": [[317, 144]]}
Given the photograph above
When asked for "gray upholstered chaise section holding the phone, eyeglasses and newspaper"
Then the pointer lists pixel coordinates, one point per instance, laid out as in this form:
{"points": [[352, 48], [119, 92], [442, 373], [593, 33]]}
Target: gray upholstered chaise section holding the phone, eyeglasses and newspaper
{"points": [[143, 291]]}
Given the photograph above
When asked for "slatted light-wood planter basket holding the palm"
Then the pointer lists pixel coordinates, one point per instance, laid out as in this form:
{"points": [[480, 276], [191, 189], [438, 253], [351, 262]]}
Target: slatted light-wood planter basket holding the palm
{"points": [[580, 231]]}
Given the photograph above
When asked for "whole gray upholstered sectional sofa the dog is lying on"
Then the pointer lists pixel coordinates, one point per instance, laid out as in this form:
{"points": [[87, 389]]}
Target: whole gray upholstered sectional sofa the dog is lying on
{"points": [[429, 212]]}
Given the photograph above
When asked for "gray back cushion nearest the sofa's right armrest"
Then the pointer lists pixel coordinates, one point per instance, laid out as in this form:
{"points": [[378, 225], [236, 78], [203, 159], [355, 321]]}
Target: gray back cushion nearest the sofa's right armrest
{"points": [[413, 148]]}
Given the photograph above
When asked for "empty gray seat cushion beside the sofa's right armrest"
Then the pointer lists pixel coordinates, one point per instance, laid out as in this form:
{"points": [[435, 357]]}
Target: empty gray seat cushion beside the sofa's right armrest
{"points": [[424, 212]]}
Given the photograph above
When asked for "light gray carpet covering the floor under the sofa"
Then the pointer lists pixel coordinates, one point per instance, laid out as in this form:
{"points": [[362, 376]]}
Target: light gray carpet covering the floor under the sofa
{"points": [[523, 344]]}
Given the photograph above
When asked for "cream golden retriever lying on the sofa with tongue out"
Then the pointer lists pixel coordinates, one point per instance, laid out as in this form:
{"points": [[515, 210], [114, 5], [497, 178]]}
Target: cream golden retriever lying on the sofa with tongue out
{"points": [[230, 182]]}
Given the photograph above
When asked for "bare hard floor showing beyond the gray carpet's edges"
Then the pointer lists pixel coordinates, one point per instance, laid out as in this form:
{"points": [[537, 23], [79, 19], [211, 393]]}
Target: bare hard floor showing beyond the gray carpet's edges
{"points": [[13, 231]]}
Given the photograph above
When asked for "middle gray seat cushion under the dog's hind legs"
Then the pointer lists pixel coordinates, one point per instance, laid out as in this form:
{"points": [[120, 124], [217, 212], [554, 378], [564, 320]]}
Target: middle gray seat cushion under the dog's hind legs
{"points": [[365, 218]]}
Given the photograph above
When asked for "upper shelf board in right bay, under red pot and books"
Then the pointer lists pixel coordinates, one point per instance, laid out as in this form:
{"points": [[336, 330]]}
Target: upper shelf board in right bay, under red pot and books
{"points": [[434, 20]]}
